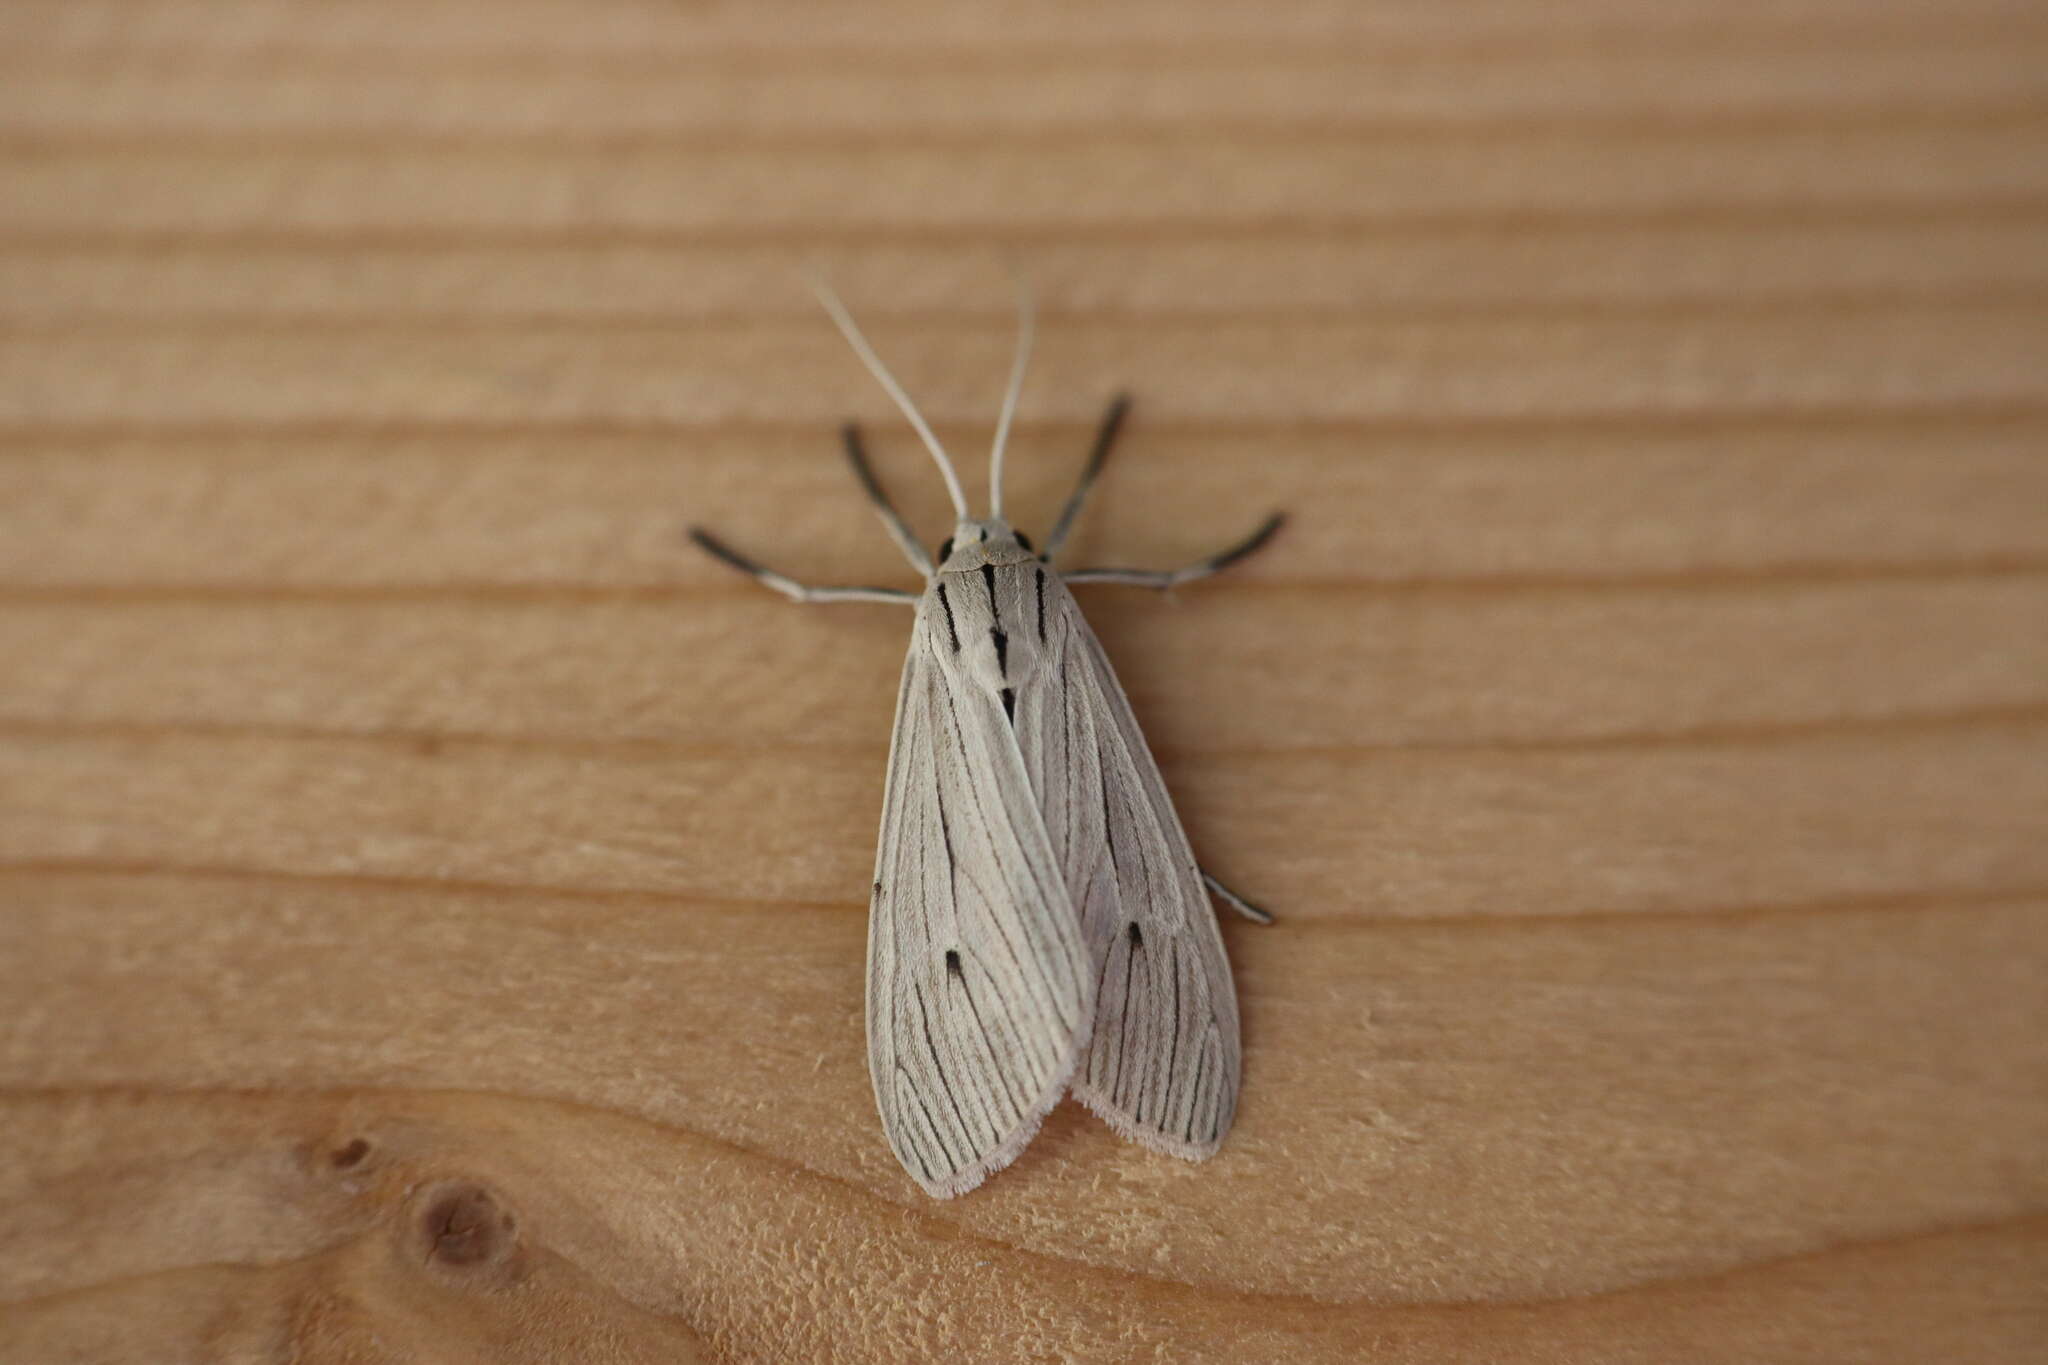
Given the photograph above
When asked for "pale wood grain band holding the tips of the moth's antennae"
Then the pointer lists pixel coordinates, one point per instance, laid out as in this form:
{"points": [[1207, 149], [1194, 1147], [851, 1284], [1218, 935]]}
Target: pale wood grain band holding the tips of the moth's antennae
{"points": [[1291, 271]]}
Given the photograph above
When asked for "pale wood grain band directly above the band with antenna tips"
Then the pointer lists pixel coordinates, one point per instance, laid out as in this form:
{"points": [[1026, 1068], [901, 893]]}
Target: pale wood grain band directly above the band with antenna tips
{"points": [[1011, 189]]}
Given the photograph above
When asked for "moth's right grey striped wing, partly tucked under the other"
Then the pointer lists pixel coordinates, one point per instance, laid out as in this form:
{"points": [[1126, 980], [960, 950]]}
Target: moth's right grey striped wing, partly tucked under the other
{"points": [[1164, 1061]]}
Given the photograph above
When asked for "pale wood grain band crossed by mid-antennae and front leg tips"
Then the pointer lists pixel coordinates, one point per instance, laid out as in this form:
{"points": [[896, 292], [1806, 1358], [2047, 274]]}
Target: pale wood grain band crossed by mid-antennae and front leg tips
{"points": [[1558, 369]]}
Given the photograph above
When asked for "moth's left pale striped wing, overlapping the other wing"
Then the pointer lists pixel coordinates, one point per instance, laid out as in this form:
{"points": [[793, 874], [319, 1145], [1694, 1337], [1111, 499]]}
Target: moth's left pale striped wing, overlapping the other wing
{"points": [[978, 973]]}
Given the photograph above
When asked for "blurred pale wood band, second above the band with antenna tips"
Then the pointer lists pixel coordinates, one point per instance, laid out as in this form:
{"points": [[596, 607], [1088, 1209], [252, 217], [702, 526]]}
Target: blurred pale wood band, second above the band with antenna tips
{"points": [[226, 97]]}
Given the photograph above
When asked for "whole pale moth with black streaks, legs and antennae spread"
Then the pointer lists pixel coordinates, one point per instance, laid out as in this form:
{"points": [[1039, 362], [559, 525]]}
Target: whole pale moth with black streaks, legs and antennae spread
{"points": [[1039, 920]]}
